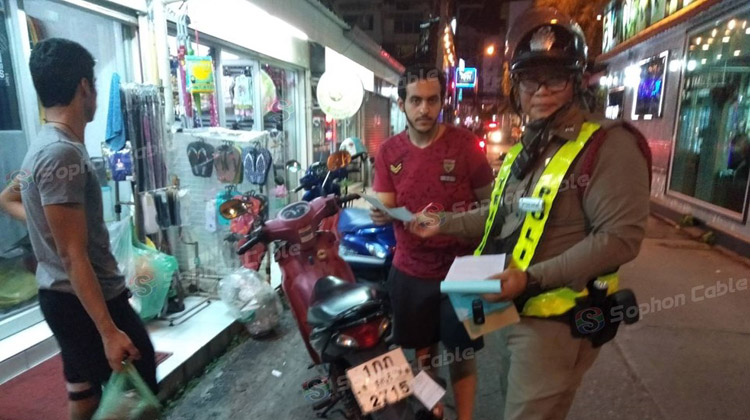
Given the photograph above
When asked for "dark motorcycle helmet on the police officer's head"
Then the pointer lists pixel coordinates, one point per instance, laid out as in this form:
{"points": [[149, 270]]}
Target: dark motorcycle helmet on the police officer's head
{"points": [[546, 37]]}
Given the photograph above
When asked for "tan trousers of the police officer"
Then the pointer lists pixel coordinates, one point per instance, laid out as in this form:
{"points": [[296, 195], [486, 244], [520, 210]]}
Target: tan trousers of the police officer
{"points": [[542, 368]]}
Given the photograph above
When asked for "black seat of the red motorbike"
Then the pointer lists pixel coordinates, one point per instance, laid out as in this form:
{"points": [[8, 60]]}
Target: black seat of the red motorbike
{"points": [[334, 299]]}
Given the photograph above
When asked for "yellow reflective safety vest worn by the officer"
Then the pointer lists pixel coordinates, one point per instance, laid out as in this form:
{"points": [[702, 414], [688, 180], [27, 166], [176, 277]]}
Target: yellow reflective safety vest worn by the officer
{"points": [[557, 301]]}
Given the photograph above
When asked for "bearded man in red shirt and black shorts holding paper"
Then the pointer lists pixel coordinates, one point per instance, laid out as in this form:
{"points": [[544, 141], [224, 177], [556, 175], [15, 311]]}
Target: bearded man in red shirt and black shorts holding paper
{"points": [[440, 166]]}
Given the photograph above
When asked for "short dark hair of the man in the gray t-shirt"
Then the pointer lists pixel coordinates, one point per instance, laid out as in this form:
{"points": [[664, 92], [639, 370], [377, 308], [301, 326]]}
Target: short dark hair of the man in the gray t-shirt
{"points": [[57, 66]]}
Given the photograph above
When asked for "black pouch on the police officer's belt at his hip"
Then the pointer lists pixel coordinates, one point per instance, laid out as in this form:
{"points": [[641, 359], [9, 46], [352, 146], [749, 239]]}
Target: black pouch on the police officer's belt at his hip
{"points": [[597, 316]]}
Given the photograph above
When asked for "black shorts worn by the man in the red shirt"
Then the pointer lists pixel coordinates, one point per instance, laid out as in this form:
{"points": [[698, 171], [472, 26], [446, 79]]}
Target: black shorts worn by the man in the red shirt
{"points": [[422, 316]]}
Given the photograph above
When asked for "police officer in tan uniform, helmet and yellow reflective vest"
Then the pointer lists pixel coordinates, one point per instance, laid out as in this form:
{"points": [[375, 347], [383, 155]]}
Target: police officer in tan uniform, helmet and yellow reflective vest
{"points": [[569, 207]]}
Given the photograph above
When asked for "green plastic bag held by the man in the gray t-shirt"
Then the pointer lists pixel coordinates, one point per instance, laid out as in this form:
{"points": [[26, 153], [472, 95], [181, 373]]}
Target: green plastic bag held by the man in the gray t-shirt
{"points": [[127, 397]]}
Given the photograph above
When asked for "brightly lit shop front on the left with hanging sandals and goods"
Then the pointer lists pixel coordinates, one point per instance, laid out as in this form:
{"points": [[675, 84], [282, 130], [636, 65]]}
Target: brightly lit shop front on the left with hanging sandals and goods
{"points": [[249, 87]]}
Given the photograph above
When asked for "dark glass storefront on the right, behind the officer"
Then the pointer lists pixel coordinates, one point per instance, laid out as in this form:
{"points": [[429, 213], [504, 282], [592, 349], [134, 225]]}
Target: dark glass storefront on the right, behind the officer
{"points": [[680, 72]]}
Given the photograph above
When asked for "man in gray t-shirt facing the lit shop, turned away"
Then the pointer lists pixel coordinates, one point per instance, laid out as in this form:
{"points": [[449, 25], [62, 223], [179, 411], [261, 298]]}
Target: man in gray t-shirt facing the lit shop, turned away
{"points": [[81, 292]]}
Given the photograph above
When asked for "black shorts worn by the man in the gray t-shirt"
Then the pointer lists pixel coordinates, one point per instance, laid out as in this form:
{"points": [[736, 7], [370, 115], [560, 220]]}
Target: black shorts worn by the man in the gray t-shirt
{"points": [[81, 345]]}
